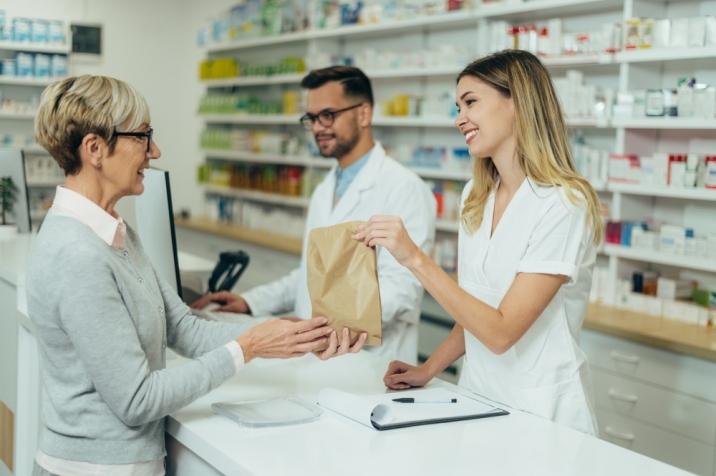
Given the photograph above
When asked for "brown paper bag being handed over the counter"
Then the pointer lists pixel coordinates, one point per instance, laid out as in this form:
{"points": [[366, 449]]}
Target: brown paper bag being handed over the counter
{"points": [[343, 282]]}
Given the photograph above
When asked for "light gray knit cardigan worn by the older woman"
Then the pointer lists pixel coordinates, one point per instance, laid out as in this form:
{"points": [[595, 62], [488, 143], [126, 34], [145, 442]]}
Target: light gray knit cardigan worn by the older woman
{"points": [[103, 319]]}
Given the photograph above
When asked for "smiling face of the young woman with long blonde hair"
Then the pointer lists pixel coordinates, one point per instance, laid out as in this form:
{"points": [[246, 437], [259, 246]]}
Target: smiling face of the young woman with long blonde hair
{"points": [[486, 118]]}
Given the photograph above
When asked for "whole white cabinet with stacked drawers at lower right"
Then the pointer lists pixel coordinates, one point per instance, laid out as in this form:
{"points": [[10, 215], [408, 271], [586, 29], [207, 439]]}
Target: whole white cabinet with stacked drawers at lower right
{"points": [[655, 402]]}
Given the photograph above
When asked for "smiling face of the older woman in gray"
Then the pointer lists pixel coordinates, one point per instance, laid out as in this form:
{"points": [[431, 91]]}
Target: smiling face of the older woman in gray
{"points": [[124, 169]]}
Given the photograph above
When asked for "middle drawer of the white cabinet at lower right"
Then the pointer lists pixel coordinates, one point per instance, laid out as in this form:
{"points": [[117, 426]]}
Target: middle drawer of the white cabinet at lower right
{"points": [[673, 411]]}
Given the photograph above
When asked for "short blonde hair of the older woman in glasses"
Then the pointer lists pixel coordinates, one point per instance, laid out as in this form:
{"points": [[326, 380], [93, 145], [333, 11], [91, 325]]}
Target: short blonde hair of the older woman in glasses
{"points": [[74, 107]]}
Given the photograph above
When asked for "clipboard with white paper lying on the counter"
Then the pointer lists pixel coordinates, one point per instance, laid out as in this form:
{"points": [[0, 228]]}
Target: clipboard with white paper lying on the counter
{"points": [[381, 413]]}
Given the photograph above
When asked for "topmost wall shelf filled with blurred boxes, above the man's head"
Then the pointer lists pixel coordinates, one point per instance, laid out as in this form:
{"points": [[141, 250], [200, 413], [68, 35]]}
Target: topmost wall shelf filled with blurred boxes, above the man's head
{"points": [[325, 23]]}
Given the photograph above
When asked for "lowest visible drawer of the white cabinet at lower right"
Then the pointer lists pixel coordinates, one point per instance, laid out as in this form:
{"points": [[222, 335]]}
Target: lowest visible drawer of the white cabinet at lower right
{"points": [[655, 443]]}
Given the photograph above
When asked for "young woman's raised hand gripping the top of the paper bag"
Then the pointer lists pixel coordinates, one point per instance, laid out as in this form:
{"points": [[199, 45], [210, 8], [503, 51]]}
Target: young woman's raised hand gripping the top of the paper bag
{"points": [[390, 233]]}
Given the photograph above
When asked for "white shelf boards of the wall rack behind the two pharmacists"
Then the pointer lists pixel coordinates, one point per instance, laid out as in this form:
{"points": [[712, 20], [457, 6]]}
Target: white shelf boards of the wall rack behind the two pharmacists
{"points": [[625, 71]]}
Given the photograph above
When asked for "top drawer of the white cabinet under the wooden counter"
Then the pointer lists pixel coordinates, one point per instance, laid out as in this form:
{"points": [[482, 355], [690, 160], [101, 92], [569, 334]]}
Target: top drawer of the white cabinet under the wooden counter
{"points": [[670, 369]]}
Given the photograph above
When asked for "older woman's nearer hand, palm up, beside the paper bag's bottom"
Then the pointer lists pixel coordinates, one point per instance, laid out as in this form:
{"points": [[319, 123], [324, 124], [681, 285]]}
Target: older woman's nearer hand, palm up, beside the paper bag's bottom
{"points": [[283, 339]]}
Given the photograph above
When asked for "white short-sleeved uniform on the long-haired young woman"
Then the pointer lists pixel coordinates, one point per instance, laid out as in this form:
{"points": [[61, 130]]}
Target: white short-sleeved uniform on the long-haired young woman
{"points": [[545, 372]]}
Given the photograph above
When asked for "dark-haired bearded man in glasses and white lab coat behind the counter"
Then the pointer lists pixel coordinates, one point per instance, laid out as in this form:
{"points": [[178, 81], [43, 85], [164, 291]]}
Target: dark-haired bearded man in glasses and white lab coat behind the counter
{"points": [[364, 182]]}
